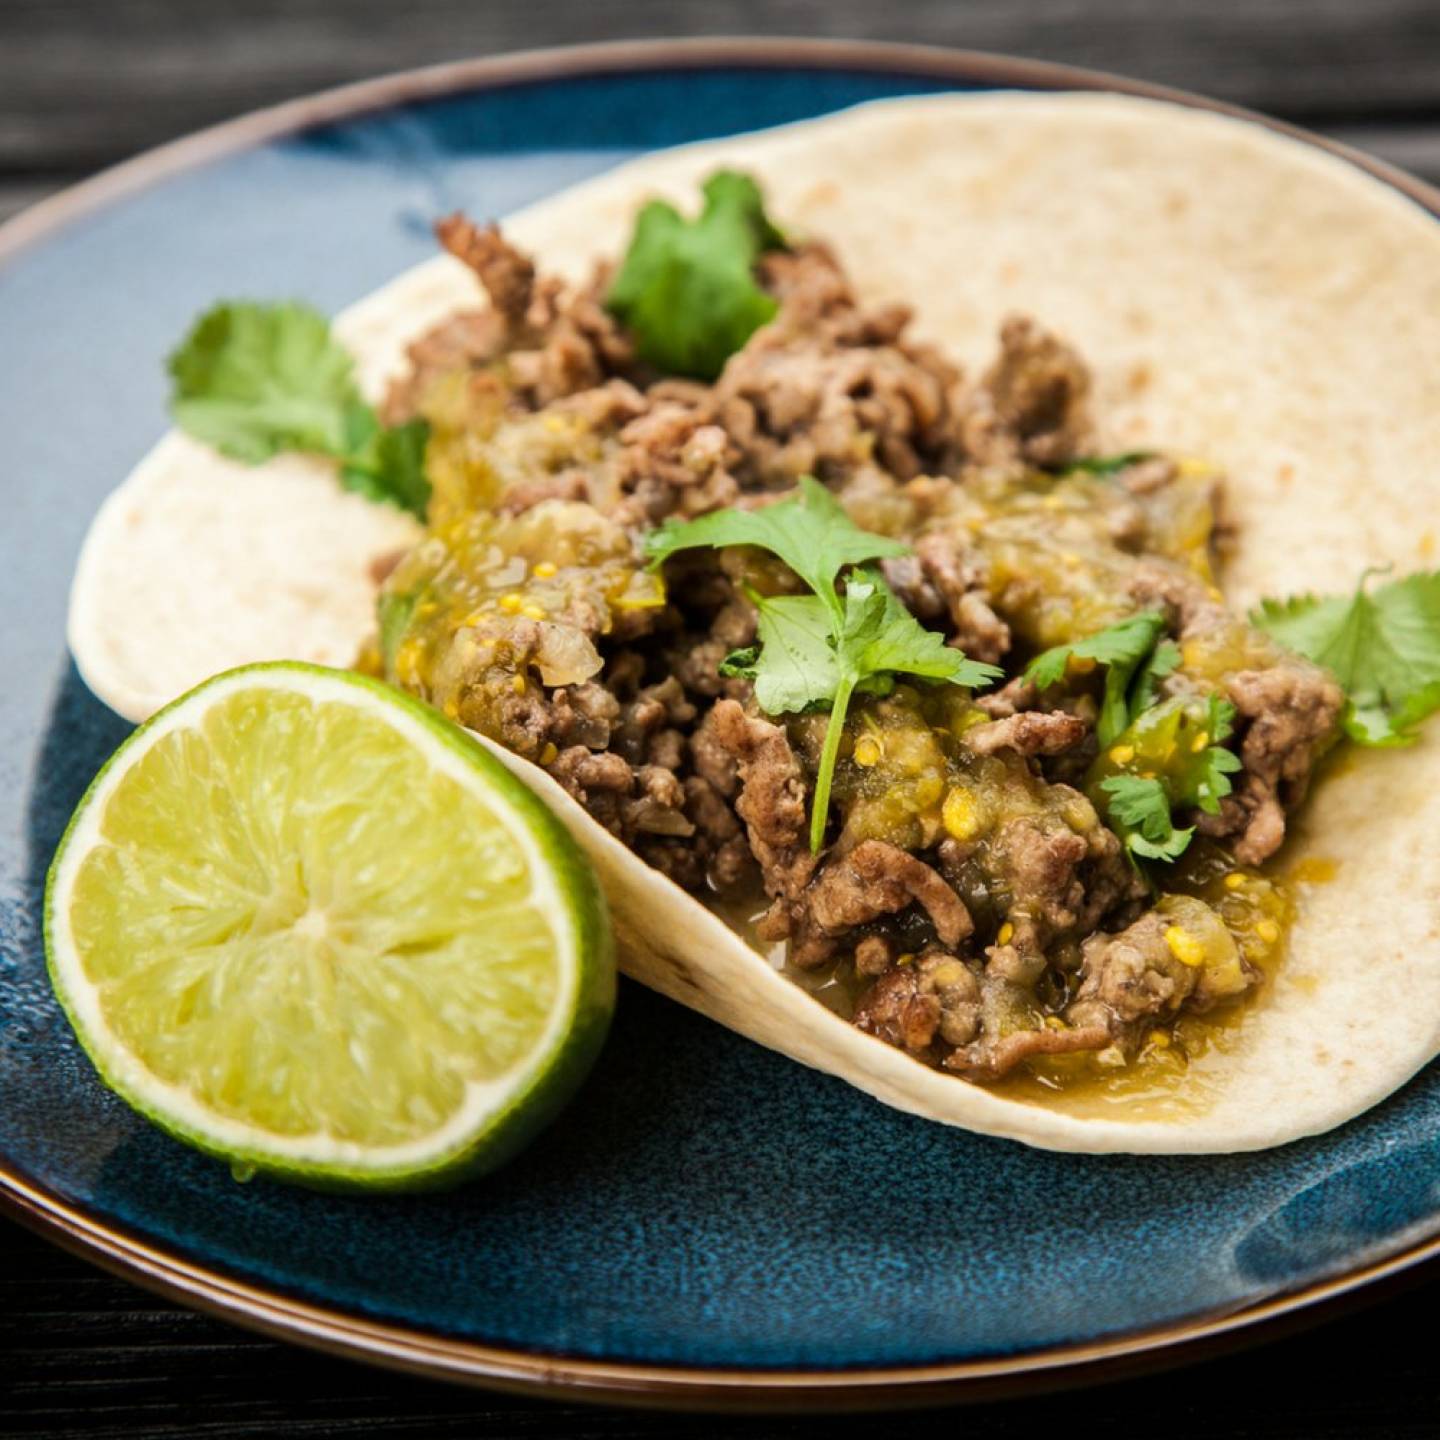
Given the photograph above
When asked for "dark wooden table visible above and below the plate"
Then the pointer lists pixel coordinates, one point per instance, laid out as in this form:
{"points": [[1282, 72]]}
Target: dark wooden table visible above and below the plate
{"points": [[87, 83]]}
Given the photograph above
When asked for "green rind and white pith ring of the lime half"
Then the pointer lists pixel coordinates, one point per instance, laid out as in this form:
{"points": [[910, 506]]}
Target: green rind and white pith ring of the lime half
{"points": [[498, 1118]]}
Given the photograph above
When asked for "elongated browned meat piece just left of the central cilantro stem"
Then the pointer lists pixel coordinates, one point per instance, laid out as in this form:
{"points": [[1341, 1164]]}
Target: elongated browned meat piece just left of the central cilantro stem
{"points": [[773, 797]]}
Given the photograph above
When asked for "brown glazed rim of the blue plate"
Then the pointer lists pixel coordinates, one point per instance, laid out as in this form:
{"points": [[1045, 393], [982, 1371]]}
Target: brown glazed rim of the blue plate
{"points": [[397, 1346]]}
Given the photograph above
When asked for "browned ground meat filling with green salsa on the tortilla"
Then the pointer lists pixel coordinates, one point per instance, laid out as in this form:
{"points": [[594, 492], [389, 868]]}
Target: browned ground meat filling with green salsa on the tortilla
{"points": [[978, 908]]}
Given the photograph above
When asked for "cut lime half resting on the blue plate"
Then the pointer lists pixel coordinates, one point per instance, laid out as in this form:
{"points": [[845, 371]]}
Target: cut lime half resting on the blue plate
{"points": [[309, 927]]}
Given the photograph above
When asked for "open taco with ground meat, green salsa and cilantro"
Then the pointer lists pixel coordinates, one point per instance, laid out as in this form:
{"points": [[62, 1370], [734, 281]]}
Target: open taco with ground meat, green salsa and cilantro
{"points": [[882, 575]]}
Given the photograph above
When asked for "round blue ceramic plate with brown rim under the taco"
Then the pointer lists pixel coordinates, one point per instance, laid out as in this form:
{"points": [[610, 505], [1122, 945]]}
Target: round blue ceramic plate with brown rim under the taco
{"points": [[708, 1222]]}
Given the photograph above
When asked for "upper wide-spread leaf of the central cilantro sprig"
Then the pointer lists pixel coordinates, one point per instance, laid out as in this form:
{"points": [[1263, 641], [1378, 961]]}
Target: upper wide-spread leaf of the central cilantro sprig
{"points": [[813, 535]]}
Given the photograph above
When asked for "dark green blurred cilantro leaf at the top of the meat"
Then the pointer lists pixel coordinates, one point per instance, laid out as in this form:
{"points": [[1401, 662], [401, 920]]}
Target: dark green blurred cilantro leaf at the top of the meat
{"points": [[688, 289]]}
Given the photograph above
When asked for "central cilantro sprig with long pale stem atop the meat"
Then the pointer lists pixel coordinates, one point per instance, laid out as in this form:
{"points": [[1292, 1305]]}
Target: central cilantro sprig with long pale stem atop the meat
{"points": [[817, 652]]}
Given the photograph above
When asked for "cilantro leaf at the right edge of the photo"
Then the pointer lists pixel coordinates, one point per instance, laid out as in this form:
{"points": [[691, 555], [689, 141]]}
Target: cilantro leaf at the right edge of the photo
{"points": [[1383, 646]]}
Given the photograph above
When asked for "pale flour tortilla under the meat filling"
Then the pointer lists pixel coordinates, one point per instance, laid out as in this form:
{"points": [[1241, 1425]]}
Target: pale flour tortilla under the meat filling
{"points": [[1241, 296]]}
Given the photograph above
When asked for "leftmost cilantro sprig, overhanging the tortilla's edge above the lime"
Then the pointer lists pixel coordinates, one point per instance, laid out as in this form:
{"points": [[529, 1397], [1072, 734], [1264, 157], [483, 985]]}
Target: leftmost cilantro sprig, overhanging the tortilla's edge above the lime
{"points": [[258, 381]]}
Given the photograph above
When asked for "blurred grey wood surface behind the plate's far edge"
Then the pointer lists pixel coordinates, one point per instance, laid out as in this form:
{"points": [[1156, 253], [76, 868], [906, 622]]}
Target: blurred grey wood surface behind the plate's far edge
{"points": [[87, 83]]}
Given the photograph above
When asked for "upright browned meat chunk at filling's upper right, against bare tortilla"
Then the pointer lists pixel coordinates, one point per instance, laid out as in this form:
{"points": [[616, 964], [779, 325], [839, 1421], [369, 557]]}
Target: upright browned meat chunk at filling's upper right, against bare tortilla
{"points": [[1033, 404]]}
